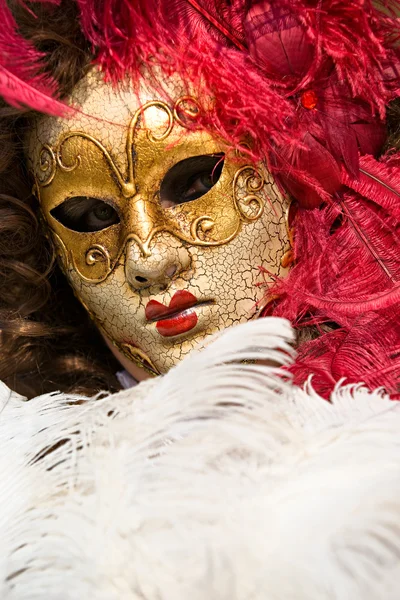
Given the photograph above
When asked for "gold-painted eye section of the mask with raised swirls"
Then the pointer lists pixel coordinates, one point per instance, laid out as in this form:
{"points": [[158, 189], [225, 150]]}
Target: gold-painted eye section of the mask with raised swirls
{"points": [[81, 163]]}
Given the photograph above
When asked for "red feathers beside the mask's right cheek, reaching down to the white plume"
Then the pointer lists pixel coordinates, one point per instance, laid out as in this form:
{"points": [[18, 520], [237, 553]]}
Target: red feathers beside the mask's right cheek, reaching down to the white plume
{"points": [[338, 282]]}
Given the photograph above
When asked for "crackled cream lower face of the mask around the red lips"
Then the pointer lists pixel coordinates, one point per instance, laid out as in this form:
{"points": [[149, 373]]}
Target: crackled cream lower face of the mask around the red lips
{"points": [[228, 275]]}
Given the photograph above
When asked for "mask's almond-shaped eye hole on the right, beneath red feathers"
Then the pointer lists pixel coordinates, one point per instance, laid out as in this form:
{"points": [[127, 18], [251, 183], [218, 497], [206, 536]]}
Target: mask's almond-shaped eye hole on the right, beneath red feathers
{"points": [[190, 179]]}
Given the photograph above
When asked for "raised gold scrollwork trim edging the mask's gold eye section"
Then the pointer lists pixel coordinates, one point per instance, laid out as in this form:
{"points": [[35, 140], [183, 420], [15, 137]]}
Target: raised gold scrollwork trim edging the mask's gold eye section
{"points": [[97, 263]]}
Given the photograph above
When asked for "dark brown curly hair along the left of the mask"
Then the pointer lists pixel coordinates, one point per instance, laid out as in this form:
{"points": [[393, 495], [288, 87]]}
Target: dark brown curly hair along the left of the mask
{"points": [[47, 341]]}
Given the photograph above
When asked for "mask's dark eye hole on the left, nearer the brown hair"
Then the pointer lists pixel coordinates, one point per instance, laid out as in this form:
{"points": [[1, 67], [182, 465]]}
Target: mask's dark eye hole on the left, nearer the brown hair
{"points": [[85, 214]]}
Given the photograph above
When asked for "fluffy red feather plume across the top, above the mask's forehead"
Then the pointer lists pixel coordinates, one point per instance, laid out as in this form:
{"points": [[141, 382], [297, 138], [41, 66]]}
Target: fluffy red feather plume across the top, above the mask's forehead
{"points": [[251, 56]]}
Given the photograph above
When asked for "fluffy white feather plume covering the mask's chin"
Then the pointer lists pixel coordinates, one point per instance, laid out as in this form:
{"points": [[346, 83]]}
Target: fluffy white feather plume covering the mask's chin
{"points": [[219, 481]]}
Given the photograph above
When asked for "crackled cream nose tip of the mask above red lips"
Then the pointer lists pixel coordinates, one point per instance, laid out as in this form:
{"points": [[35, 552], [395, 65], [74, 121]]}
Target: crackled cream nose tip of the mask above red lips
{"points": [[167, 260]]}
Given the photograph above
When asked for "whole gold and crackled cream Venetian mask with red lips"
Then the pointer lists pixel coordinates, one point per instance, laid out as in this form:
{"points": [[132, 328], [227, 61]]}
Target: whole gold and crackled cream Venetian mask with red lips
{"points": [[159, 229]]}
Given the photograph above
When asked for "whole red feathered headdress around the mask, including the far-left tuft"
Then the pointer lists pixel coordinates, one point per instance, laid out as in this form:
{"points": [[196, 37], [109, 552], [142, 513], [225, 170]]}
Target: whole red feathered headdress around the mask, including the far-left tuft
{"points": [[304, 86]]}
